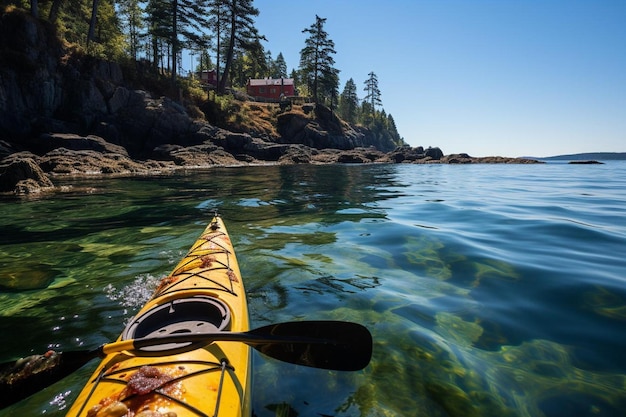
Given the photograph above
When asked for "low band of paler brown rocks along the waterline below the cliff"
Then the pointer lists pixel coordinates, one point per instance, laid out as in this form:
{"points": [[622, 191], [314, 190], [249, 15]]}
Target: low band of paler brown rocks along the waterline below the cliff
{"points": [[70, 155]]}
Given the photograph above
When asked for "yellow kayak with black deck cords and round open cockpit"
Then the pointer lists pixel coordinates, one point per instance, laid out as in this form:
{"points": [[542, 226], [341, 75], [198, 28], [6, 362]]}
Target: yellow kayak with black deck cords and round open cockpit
{"points": [[203, 294]]}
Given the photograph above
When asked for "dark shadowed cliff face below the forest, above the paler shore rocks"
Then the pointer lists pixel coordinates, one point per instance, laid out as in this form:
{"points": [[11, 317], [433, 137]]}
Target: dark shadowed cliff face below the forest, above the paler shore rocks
{"points": [[46, 88]]}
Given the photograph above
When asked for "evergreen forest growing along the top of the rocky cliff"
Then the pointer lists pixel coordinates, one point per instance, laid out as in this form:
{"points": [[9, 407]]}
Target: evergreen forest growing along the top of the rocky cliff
{"points": [[152, 35]]}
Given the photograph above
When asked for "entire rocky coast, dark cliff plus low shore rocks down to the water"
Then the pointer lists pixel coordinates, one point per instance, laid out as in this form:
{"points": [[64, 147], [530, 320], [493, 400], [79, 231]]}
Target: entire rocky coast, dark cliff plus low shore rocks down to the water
{"points": [[63, 113]]}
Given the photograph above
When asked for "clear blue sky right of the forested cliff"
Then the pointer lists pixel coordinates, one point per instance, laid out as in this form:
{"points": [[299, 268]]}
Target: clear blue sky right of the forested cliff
{"points": [[486, 77]]}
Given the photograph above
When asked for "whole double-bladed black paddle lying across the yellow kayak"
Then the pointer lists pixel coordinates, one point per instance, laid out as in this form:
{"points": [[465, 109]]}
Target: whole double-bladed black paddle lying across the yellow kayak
{"points": [[333, 345]]}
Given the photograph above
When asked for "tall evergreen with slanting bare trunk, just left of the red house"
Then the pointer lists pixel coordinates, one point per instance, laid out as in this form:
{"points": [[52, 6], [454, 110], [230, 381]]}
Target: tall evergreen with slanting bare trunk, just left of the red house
{"points": [[243, 34]]}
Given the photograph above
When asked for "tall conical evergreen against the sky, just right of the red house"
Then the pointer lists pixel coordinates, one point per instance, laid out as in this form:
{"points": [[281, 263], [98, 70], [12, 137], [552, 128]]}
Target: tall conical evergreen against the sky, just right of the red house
{"points": [[317, 63]]}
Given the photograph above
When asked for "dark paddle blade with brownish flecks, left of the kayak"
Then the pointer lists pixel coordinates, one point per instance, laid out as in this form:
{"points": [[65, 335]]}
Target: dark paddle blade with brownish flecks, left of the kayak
{"points": [[24, 377]]}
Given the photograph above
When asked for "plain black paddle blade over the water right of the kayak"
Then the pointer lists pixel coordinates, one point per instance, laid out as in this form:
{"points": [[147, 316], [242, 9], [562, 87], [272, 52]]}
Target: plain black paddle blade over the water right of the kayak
{"points": [[335, 345]]}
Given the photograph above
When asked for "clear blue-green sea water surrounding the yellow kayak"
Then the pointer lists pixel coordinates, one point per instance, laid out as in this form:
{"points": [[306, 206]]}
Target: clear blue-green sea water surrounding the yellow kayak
{"points": [[490, 290]]}
